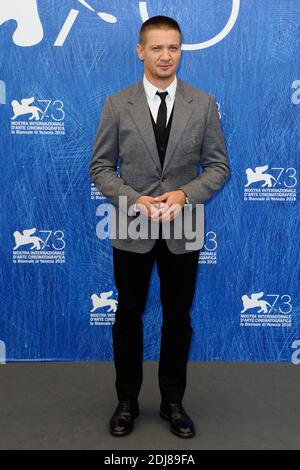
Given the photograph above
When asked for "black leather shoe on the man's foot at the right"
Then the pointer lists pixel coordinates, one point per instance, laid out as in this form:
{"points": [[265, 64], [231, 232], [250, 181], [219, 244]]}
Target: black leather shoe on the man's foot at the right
{"points": [[181, 423]]}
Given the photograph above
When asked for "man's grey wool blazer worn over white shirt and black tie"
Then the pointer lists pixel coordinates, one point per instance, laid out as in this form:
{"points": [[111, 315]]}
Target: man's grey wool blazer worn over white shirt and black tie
{"points": [[125, 131]]}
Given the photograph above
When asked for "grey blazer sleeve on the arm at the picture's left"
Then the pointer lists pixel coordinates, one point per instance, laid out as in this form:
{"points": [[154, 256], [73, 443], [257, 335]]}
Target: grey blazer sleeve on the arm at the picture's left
{"points": [[103, 165]]}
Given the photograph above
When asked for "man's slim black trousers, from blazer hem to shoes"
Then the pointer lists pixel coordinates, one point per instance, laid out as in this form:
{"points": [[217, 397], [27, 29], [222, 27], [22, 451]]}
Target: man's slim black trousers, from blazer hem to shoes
{"points": [[132, 272]]}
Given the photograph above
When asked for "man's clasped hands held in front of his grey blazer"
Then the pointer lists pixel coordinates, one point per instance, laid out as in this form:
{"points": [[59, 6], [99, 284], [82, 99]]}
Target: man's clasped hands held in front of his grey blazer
{"points": [[162, 208]]}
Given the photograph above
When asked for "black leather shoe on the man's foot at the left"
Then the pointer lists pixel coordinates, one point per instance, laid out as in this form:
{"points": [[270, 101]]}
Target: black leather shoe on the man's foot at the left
{"points": [[121, 422]]}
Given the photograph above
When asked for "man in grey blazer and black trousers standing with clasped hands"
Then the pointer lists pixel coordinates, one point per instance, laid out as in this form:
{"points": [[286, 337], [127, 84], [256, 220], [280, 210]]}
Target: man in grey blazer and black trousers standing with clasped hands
{"points": [[161, 128]]}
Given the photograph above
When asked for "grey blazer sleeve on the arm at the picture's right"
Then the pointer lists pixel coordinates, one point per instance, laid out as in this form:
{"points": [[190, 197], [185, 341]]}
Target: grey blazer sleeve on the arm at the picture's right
{"points": [[213, 159]]}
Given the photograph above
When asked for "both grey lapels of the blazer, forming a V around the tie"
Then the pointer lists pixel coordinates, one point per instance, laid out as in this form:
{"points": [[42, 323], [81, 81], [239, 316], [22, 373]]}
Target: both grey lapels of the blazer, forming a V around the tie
{"points": [[139, 111]]}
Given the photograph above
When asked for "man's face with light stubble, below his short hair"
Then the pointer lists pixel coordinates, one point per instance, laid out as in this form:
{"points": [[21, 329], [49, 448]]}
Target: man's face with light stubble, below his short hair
{"points": [[160, 52]]}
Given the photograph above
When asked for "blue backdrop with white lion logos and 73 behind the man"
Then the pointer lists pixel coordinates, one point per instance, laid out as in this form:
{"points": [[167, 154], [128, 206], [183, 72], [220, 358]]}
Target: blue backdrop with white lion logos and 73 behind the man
{"points": [[59, 60]]}
